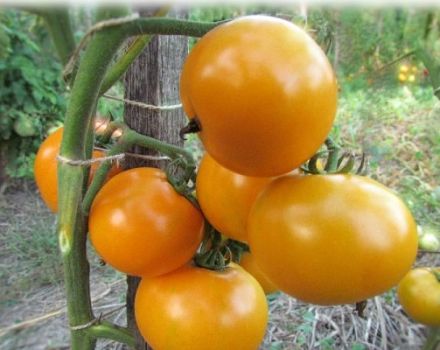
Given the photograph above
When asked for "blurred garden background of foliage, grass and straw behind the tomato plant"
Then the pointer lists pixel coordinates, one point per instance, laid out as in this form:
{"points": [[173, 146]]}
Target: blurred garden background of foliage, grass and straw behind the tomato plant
{"points": [[386, 109]]}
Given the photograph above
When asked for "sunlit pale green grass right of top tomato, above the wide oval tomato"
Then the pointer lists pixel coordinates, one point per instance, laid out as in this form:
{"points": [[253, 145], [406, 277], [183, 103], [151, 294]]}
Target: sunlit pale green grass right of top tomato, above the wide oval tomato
{"points": [[398, 128]]}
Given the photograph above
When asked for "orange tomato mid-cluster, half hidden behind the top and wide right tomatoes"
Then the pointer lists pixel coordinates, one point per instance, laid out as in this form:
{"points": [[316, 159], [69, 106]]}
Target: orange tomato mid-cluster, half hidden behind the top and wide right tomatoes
{"points": [[226, 197]]}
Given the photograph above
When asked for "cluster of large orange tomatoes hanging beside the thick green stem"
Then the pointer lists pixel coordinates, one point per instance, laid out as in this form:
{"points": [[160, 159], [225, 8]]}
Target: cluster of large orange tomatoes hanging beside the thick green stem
{"points": [[264, 96]]}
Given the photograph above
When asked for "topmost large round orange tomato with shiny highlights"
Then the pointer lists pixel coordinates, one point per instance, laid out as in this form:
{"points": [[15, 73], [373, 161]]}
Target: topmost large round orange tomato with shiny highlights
{"points": [[263, 92]]}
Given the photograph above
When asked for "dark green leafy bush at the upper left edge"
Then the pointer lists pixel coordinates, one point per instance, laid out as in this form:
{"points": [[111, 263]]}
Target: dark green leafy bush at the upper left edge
{"points": [[32, 92]]}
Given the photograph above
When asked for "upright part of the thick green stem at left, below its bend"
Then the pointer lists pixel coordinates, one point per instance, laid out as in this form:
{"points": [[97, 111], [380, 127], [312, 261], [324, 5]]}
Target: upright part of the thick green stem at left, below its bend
{"points": [[72, 226]]}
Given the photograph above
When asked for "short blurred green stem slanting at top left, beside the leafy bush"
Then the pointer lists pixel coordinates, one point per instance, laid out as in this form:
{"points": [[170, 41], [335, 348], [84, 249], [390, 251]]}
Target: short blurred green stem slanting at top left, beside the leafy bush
{"points": [[60, 29]]}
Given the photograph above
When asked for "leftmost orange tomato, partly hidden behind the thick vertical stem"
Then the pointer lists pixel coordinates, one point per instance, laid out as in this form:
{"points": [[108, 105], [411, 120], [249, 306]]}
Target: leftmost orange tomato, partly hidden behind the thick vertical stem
{"points": [[45, 168]]}
